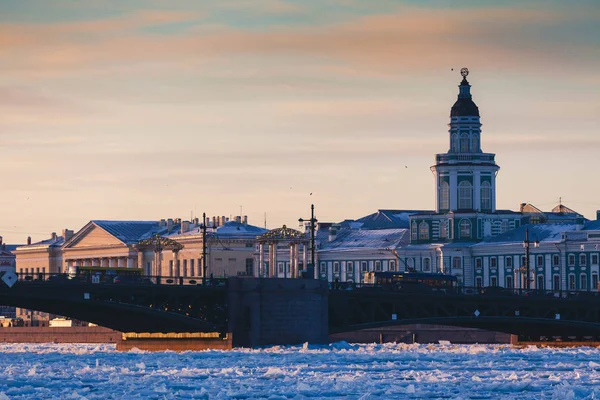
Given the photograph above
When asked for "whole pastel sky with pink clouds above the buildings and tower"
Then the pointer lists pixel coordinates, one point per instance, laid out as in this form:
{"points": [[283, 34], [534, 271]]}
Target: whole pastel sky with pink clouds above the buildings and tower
{"points": [[145, 109]]}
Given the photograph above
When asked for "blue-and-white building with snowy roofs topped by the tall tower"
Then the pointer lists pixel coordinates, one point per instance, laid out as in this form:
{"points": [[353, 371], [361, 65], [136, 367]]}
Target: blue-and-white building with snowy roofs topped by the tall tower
{"points": [[466, 235]]}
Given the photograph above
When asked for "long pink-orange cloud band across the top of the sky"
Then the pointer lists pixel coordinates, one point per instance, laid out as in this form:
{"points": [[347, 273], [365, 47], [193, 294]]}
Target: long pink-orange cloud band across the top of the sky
{"points": [[391, 44]]}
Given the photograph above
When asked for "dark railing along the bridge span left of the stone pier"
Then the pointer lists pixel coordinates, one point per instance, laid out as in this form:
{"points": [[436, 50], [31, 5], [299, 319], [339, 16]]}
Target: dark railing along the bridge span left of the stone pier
{"points": [[122, 279]]}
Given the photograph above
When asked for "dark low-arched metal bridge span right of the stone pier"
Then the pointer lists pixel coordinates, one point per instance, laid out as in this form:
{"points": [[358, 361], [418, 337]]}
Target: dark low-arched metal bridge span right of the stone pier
{"points": [[532, 317]]}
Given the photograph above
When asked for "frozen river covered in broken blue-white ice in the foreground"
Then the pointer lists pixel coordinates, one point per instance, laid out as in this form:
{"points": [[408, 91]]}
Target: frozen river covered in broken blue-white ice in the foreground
{"points": [[390, 371]]}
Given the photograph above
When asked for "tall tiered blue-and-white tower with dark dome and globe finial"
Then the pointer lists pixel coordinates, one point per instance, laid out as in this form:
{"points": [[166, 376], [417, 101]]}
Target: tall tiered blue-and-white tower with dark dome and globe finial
{"points": [[465, 177]]}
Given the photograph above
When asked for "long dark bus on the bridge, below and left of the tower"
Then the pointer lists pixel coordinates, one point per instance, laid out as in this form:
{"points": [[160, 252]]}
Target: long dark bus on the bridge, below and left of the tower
{"points": [[413, 281]]}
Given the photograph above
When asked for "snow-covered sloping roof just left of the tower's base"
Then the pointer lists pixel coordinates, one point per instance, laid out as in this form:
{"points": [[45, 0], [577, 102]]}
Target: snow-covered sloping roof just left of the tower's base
{"points": [[348, 239]]}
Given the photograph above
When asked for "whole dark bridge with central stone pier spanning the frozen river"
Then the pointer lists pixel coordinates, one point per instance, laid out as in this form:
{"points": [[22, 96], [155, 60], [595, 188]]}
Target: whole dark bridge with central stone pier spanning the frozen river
{"points": [[286, 311]]}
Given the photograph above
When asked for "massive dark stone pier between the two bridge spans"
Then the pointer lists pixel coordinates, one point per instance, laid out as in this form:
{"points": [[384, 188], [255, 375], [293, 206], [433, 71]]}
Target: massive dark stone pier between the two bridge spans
{"points": [[277, 311]]}
